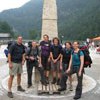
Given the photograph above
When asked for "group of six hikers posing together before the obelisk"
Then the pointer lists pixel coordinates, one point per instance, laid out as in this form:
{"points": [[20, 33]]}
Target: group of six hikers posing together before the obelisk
{"points": [[49, 57]]}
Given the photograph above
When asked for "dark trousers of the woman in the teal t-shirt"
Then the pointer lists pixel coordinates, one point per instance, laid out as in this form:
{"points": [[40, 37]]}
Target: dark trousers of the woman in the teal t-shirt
{"points": [[79, 79]]}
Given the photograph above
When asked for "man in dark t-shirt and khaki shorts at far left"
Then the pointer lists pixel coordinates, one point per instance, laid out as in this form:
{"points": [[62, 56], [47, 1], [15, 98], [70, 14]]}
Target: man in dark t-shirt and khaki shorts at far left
{"points": [[16, 58]]}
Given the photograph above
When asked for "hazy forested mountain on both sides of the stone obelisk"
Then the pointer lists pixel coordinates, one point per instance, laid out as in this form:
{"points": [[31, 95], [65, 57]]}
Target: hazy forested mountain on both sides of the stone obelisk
{"points": [[77, 19]]}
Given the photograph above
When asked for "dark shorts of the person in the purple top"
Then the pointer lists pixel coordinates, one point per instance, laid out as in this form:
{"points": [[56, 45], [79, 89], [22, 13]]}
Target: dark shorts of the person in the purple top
{"points": [[46, 65]]}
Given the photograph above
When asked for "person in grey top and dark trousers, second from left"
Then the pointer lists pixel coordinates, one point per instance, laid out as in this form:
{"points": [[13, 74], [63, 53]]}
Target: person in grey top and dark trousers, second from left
{"points": [[33, 59]]}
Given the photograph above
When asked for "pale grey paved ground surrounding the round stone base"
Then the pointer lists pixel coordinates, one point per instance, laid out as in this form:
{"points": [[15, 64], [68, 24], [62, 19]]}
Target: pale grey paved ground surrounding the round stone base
{"points": [[94, 94]]}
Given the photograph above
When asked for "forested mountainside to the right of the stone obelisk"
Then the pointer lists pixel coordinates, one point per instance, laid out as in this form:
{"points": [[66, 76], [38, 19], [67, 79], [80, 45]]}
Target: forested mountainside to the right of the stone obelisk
{"points": [[79, 19]]}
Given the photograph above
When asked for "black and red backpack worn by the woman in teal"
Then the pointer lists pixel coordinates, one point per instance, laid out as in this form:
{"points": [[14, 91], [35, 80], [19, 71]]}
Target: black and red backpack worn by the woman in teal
{"points": [[87, 58]]}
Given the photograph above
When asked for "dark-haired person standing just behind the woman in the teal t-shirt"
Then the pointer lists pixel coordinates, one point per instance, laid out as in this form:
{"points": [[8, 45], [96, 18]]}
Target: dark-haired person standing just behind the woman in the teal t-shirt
{"points": [[65, 58]]}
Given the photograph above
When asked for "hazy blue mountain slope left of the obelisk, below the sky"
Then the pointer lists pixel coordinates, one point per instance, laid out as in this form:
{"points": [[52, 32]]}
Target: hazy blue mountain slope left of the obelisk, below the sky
{"points": [[26, 18]]}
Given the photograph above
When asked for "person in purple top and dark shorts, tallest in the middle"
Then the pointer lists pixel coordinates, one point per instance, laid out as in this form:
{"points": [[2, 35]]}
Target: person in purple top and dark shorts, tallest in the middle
{"points": [[45, 55]]}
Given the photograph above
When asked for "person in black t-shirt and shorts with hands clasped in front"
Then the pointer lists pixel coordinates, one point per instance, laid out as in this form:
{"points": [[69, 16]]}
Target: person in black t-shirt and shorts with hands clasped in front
{"points": [[55, 54]]}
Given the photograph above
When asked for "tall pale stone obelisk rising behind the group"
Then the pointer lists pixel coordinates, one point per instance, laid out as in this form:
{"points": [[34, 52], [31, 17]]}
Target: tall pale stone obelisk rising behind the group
{"points": [[49, 19]]}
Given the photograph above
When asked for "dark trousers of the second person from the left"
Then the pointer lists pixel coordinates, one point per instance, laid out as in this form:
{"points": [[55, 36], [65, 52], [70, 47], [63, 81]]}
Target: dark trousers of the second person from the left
{"points": [[30, 66]]}
